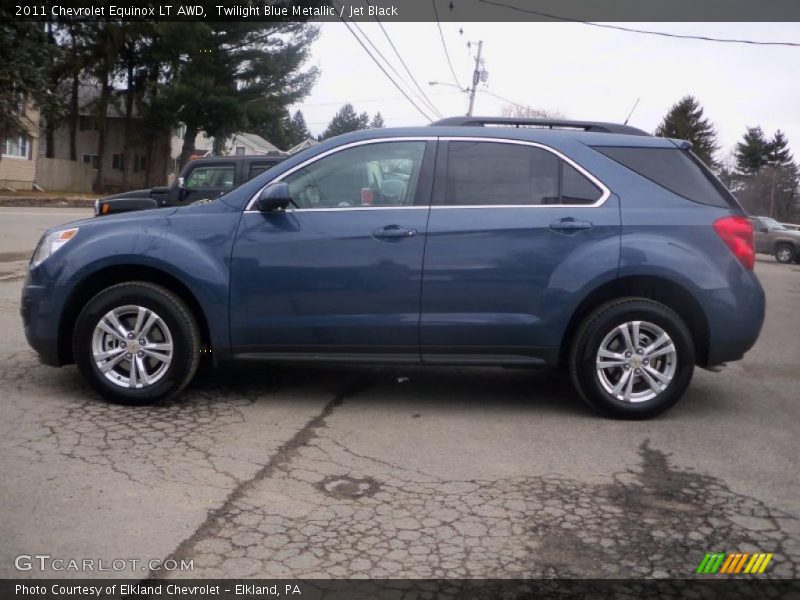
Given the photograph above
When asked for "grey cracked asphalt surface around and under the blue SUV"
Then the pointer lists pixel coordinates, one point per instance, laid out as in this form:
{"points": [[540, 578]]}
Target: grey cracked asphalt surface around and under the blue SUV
{"points": [[278, 471]]}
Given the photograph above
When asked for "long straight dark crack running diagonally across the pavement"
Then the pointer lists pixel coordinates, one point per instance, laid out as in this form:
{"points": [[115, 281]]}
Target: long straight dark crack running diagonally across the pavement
{"points": [[280, 458]]}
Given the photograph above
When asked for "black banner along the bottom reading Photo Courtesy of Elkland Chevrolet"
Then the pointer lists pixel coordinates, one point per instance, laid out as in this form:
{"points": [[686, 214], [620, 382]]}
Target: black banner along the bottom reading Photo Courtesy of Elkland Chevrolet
{"points": [[710, 588]]}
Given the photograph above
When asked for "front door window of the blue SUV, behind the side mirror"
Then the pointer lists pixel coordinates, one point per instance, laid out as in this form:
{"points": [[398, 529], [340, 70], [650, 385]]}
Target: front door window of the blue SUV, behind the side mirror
{"points": [[381, 174]]}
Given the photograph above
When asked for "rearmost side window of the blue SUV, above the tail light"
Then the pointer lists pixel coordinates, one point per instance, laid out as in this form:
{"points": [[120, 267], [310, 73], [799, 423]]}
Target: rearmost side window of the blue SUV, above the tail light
{"points": [[674, 169]]}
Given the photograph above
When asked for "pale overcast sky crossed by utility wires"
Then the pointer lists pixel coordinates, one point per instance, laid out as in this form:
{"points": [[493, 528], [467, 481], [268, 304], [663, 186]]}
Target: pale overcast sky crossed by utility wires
{"points": [[580, 71]]}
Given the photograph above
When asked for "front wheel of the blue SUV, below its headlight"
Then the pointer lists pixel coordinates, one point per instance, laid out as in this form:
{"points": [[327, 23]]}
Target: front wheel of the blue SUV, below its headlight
{"points": [[136, 343]]}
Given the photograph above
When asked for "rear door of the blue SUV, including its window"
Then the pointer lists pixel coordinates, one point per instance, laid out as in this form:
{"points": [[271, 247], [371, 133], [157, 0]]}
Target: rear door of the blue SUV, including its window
{"points": [[516, 233]]}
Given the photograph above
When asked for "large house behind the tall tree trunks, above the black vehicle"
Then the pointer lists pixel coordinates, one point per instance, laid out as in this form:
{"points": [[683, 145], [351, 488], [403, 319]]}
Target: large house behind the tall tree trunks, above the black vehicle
{"points": [[147, 158]]}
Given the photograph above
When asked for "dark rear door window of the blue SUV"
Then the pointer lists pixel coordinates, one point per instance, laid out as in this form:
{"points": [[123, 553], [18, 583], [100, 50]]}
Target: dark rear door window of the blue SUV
{"points": [[485, 173]]}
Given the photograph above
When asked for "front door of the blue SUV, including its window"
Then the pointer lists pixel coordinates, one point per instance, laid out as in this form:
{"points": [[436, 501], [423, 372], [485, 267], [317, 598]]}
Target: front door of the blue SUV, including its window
{"points": [[338, 273]]}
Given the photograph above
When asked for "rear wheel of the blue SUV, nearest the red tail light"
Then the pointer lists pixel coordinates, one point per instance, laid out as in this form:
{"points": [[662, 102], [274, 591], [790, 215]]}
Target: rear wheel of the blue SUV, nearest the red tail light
{"points": [[632, 358]]}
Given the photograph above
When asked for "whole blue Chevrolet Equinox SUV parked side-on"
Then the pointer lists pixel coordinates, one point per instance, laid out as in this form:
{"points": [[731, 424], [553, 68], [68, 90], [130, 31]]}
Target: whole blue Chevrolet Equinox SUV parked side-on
{"points": [[589, 245]]}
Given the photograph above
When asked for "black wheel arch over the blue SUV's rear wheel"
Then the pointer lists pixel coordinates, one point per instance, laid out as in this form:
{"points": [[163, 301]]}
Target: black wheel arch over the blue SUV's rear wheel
{"points": [[660, 289]]}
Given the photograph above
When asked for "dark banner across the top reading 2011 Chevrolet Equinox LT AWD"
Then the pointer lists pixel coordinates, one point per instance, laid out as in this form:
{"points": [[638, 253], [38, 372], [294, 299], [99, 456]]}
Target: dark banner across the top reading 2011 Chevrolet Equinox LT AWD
{"points": [[405, 10]]}
